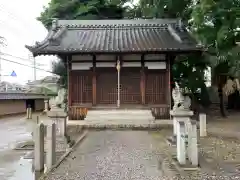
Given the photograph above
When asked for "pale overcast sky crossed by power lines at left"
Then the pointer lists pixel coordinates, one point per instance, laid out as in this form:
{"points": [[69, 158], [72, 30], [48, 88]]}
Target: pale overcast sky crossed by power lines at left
{"points": [[18, 25]]}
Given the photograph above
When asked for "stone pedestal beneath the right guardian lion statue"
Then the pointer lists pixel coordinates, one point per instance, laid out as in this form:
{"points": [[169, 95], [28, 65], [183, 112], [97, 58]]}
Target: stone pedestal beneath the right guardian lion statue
{"points": [[179, 115]]}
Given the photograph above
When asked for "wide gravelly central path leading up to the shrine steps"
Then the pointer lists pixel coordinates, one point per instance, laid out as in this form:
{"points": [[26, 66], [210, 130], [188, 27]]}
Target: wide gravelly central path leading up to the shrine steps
{"points": [[109, 155]]}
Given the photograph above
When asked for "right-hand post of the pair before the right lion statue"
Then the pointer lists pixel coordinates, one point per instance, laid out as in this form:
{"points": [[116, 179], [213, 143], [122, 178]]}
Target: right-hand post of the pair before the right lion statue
{"points": [[193, 147]]}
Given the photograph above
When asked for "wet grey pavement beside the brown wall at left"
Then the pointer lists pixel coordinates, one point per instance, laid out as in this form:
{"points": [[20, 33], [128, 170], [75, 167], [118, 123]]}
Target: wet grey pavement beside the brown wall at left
{"points": [[13, 130]]}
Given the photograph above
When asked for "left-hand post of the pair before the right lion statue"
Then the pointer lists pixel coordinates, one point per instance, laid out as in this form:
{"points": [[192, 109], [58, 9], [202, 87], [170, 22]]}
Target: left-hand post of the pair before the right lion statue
{"points": [[181, 146]]}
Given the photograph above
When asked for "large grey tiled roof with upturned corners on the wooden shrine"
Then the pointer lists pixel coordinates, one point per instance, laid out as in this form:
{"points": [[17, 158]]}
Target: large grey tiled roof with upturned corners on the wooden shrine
{"points": [[121, 36]]}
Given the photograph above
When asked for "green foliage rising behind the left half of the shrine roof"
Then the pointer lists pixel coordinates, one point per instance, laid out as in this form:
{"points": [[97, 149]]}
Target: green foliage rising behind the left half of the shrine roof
{"points": [[82, 9]]}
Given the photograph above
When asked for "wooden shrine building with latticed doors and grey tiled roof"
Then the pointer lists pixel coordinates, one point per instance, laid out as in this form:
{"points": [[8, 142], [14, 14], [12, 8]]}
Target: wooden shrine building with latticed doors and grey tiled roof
{"points": [[118, 63]]}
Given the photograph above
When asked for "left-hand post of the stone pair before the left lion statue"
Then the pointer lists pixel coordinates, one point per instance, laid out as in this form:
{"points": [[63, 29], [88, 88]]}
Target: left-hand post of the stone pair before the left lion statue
{"points": [[39, 148]]}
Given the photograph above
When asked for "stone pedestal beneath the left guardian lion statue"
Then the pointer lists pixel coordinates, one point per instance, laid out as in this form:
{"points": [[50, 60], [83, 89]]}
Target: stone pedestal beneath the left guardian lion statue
{"points": [[59, 117]]}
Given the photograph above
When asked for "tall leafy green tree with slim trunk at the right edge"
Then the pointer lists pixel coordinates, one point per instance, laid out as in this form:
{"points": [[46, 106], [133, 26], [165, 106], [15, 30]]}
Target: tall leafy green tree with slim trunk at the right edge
{"points": [[215, 24]]}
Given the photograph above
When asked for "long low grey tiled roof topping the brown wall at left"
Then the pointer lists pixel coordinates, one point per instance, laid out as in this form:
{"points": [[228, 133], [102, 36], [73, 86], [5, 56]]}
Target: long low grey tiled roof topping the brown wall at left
{"points": [[8, 96]]}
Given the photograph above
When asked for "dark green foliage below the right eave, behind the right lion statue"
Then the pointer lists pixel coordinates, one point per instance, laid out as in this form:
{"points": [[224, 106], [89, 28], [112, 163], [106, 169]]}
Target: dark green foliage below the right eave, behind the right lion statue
{"points": [[188, 71]]}
